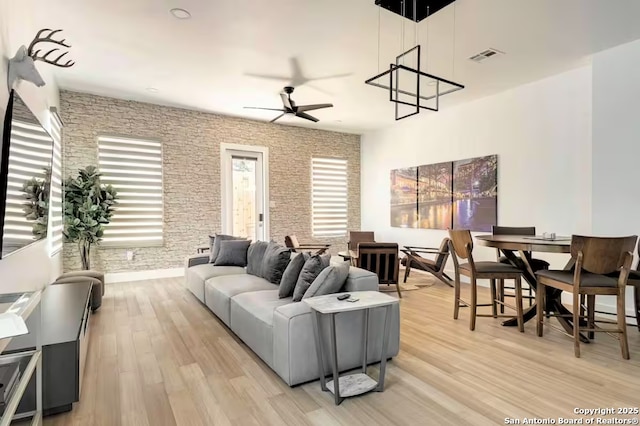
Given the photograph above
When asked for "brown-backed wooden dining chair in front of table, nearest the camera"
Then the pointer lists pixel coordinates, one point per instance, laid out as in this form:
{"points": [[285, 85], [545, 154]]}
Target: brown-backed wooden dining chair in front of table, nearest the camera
{"points": [[595, 259]]}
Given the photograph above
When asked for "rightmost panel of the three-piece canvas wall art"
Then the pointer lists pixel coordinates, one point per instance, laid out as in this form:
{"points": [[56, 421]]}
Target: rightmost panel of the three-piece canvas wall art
{"points": [[475, 193]]}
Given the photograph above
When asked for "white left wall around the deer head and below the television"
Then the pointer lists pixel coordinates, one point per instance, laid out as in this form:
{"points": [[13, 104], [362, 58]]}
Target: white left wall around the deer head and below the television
{"points": [[30, 268]]}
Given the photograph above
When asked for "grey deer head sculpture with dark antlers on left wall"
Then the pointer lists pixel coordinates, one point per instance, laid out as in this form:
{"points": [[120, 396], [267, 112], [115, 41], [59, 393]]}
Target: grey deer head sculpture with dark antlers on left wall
{"points": [[22, 65]]}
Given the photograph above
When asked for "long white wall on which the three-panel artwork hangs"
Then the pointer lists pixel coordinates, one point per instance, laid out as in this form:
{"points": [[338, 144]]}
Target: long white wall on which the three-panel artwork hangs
{"points": [[542, 135]]}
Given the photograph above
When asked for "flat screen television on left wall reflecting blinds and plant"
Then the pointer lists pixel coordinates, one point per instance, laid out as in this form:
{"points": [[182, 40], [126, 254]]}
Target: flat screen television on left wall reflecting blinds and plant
{"points": [[25, 178]]}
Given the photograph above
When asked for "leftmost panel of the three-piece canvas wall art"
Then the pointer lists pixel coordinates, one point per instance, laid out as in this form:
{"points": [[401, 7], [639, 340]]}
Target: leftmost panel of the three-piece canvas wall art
{"points": [[404, 205]]}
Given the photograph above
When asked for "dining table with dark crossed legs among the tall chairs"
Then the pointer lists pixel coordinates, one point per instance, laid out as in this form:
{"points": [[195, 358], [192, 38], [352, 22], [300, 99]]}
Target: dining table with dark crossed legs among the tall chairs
{"points": [[524, 245]]}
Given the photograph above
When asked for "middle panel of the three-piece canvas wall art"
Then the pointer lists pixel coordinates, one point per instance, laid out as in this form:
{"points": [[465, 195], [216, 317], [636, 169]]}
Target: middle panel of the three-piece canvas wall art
{"points": [[434, 195]]}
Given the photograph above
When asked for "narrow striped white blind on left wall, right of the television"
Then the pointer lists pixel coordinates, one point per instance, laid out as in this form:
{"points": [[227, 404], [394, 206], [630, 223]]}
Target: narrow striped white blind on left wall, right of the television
{"points": [[55, 203]]}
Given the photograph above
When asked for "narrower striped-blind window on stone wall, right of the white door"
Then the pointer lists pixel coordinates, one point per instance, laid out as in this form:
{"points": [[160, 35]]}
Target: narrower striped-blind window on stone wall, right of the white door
{"points": [[329, 197]]}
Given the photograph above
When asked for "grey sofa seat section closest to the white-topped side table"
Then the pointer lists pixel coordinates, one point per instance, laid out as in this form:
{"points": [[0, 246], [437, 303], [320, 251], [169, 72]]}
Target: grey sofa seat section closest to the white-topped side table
{"points": [[252, 320]]}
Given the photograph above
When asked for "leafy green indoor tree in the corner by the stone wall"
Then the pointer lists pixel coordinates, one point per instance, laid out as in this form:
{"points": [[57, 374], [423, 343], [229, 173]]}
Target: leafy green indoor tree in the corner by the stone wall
{"points": [[88, 206]]}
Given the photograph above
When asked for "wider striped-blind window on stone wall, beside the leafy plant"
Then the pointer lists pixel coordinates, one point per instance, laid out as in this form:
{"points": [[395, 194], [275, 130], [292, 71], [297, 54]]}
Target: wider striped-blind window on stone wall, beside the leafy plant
{"points": [[134, 168]]}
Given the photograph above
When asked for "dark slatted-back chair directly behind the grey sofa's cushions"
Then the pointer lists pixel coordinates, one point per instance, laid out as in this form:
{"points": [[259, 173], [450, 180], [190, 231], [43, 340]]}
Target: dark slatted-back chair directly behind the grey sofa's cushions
{"points": [[381, 258]]}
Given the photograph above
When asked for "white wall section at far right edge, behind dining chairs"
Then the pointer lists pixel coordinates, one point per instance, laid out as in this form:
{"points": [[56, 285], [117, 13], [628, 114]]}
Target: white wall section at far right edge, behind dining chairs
{"points": [[616, 144]]}
